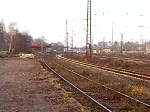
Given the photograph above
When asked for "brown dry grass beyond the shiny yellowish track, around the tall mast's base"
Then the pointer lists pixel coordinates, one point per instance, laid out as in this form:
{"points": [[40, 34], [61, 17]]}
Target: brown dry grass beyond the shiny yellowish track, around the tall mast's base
{"points": [[119, 63]]}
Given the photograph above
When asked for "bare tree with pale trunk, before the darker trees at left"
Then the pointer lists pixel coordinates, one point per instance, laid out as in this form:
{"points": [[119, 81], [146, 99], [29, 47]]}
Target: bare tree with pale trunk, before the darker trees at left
{"points": [[10, 37]]}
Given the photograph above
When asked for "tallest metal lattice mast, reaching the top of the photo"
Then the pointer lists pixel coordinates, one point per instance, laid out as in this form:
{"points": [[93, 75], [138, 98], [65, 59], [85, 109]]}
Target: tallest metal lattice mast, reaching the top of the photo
{"points": [[88, 36]]}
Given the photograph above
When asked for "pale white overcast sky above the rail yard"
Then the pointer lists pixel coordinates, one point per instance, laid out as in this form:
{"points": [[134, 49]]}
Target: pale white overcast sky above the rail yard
{"points": [[48, 18]]}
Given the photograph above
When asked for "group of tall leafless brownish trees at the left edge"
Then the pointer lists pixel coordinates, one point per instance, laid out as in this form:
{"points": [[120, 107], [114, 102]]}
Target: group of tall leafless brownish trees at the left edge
{"points": [[14, 41]]}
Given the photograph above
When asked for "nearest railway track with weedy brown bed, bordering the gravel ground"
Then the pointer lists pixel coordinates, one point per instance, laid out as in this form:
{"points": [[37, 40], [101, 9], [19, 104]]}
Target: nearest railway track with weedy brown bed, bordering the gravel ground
{"points": [[109, 101]]}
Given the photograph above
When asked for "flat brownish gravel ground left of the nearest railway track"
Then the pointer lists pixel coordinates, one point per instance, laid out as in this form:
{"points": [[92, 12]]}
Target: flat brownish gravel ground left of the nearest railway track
{"points": [[26, 87]]}
